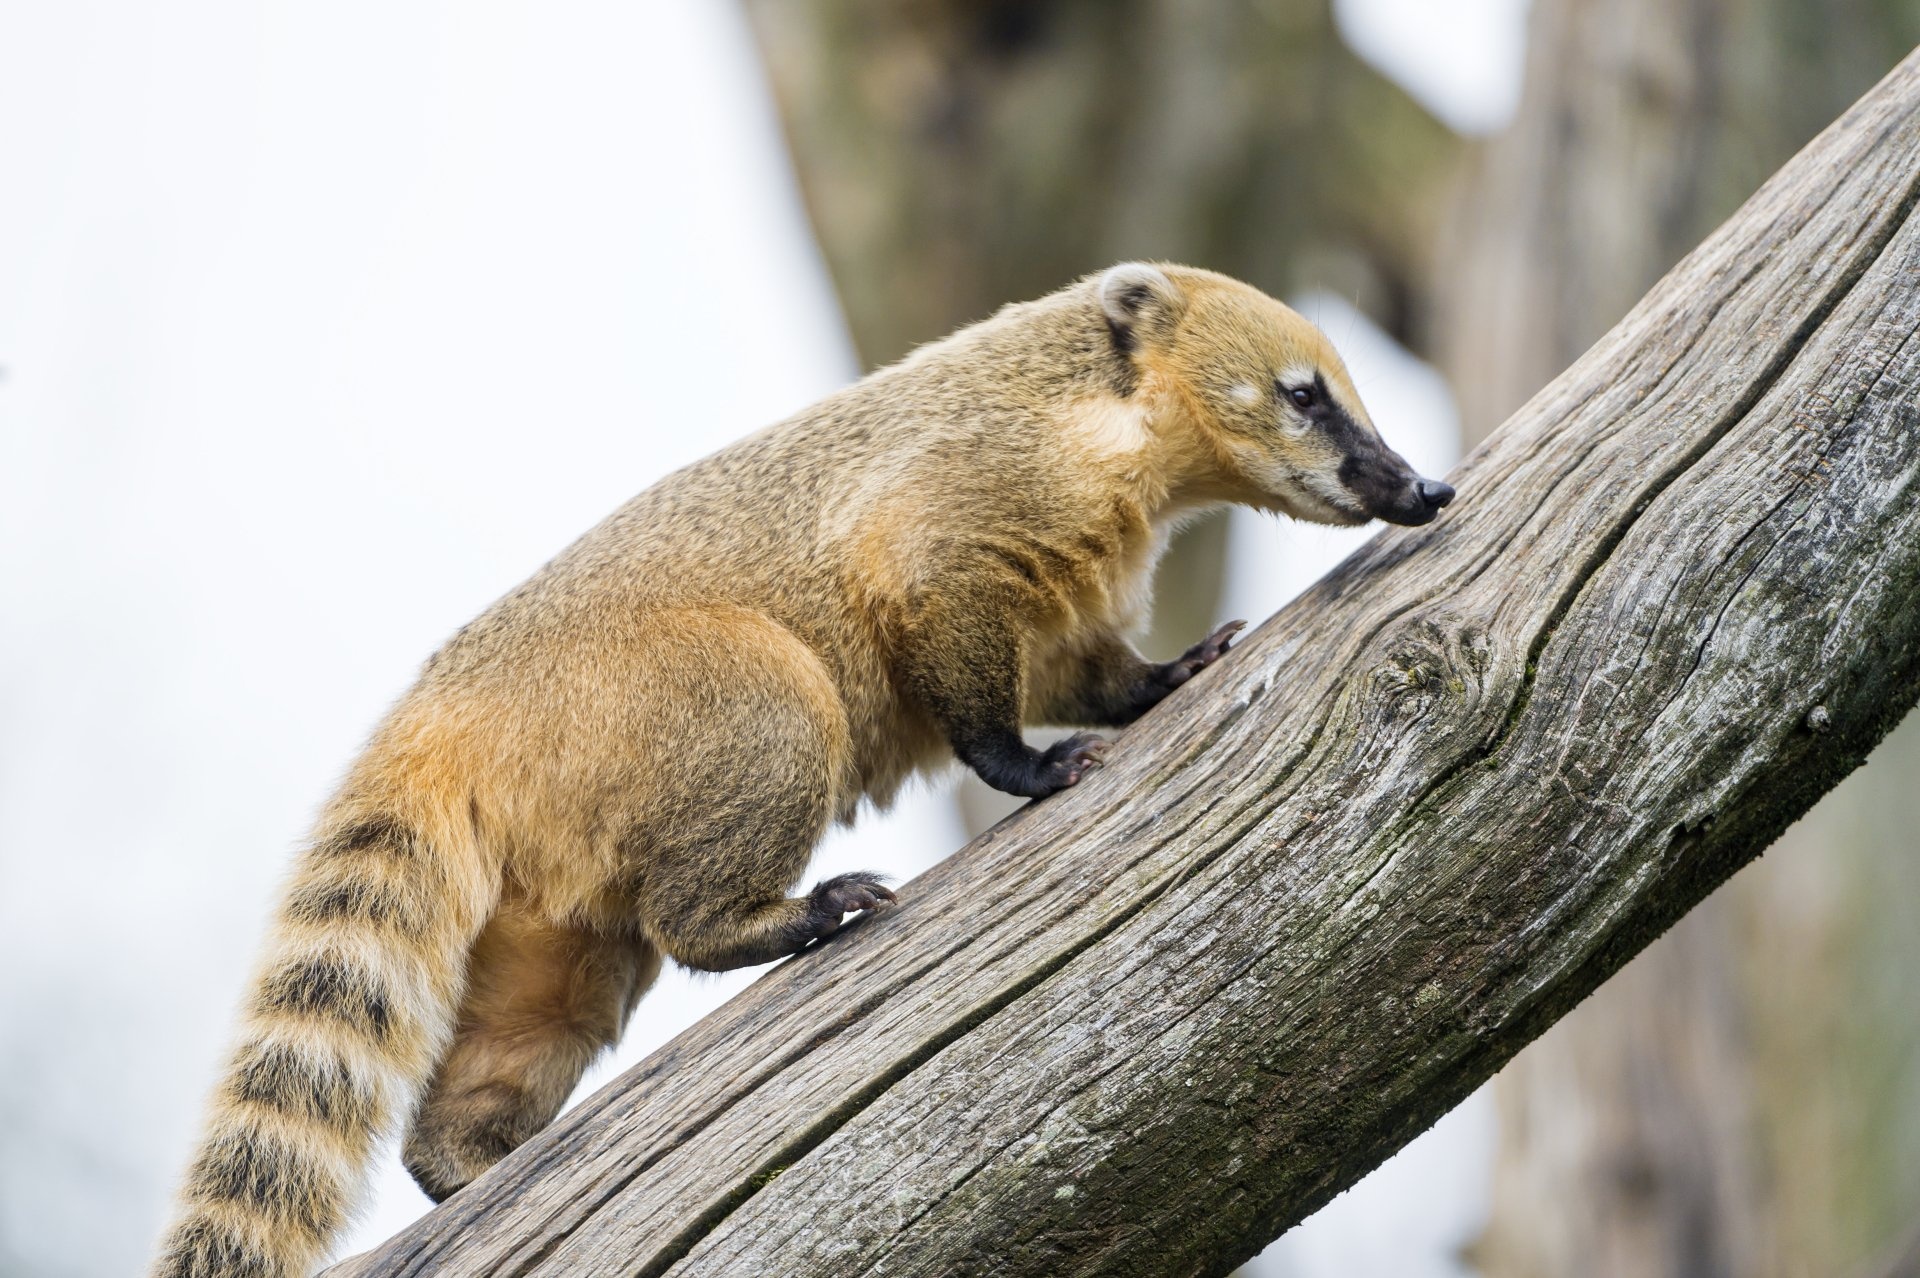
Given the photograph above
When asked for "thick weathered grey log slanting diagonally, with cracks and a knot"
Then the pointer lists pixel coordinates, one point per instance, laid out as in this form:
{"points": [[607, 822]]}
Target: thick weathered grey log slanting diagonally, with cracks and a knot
{"points": [[1328, 889]]}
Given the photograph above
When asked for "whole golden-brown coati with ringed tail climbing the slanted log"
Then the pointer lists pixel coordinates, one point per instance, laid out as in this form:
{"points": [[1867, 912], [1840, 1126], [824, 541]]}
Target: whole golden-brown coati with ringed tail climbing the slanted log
{"points": [[633, 755]]}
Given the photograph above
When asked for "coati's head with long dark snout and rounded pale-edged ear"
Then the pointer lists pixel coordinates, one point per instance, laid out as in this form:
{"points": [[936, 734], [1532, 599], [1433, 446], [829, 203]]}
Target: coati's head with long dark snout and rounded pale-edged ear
{"points": [[1268, 396]]}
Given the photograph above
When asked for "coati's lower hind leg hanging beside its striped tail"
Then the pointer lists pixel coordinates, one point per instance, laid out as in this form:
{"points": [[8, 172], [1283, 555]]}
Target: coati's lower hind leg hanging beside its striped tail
{"points": [[542, 1003]]}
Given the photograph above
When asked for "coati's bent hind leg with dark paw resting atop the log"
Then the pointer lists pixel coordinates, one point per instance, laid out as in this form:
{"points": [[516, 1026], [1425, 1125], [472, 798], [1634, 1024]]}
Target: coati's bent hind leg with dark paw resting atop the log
{"points": [[738, 807]]}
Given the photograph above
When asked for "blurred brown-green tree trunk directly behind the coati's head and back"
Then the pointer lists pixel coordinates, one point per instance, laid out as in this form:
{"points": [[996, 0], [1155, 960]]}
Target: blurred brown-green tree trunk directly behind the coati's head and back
{"points": [[961, 154]]}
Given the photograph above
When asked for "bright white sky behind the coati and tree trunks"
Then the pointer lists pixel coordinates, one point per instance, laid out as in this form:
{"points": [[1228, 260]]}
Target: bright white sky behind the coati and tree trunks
{"points": [[320, 329]]}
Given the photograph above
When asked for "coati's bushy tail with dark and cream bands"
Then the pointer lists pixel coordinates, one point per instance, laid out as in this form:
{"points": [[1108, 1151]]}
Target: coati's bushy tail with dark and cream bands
{"points": [[341, 1031]]}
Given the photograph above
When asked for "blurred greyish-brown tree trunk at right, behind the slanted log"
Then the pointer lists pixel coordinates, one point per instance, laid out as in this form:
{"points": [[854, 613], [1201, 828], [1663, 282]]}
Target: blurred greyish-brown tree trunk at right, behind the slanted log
{"points": [[1746, 1097]]}
